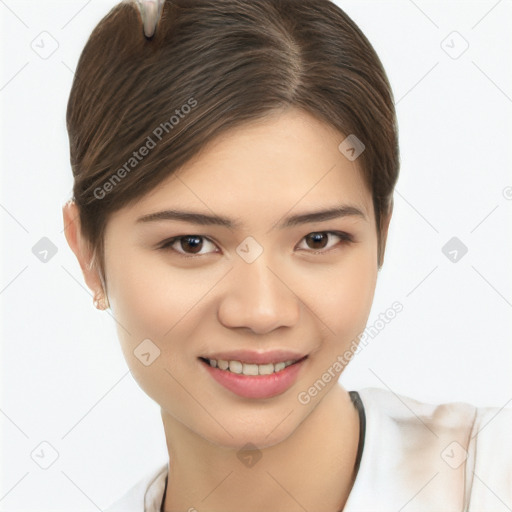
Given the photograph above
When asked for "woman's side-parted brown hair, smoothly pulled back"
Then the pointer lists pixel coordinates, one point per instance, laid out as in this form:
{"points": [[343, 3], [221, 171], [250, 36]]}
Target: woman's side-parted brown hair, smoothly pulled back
{"points": [[213, 65]]}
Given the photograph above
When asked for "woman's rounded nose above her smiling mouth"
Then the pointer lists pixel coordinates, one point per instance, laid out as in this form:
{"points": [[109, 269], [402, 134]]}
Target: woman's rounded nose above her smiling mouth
{"points": [[258, 297]]}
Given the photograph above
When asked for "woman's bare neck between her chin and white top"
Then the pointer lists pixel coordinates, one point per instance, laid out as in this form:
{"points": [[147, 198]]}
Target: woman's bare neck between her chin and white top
{"points": [[313, 469]]}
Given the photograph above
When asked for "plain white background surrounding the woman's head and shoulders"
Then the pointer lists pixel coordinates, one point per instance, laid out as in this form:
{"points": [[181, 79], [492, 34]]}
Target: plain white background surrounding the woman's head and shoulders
{"points": [[64, 379]]}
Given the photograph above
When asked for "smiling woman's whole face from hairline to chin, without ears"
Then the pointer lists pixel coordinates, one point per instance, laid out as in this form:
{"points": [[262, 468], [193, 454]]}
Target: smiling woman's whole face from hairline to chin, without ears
{"points": [[204, 290]]}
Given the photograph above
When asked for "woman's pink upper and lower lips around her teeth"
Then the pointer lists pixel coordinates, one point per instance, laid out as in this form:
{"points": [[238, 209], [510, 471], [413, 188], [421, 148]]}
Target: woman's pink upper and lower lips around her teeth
{"points": [[257, 386]]}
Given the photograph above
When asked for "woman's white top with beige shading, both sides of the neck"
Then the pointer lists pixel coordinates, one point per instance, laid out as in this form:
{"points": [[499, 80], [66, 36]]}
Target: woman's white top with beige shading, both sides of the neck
{"points": [[417, 457]]}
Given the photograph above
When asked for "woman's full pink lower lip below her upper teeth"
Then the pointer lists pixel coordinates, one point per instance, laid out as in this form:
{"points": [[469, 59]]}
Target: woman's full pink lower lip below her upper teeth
{"points": [[257, 386]]}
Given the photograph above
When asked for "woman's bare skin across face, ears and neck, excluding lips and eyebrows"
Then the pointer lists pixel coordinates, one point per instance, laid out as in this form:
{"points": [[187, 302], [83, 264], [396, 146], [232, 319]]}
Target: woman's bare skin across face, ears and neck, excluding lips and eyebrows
{"points": [[288, 298]]}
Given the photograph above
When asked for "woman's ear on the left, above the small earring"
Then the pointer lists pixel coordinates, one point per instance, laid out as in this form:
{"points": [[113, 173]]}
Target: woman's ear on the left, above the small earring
{"points": [[80, 247]]}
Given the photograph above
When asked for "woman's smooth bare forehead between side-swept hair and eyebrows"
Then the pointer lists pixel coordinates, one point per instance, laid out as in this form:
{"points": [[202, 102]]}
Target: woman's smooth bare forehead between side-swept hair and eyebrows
{"points": [[289, 160]]}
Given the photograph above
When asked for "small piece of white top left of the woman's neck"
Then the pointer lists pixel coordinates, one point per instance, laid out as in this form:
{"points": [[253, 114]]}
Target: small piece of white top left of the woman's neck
{"points": [[145, 496]]}
